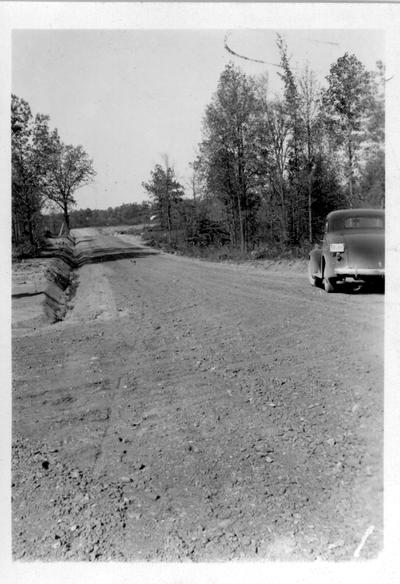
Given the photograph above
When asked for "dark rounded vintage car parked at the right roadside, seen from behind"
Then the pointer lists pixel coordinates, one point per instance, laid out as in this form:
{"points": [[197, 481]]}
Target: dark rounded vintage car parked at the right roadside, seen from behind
{"points": [[353, 249]]}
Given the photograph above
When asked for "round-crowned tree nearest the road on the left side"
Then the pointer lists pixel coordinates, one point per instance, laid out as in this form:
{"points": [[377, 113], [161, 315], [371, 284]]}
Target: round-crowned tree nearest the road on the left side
{"points": [[66, 167]]}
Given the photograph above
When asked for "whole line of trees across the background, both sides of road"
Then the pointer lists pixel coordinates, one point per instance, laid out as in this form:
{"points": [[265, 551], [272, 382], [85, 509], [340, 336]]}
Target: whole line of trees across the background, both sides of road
{"points": [[268, 169]]}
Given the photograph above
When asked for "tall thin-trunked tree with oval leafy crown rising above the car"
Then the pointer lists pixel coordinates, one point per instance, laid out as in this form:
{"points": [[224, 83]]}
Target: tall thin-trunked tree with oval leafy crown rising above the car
{"points": [[347, 101]]}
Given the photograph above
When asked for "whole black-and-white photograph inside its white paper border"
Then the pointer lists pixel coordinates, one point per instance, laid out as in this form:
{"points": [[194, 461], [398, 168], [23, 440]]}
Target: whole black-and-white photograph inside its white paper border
{"points": [[197, 259]]}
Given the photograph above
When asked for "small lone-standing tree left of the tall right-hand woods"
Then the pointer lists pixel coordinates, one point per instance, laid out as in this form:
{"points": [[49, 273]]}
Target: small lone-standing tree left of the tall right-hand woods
{"points": [[166, 193]]}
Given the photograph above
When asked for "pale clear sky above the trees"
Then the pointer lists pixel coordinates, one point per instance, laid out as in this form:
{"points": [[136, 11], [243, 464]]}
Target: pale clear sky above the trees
{"points": [[131, 96]]}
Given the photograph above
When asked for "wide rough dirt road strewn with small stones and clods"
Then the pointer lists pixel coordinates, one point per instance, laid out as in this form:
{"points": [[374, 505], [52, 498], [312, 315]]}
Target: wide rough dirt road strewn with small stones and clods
{"points": [[187, 410]]}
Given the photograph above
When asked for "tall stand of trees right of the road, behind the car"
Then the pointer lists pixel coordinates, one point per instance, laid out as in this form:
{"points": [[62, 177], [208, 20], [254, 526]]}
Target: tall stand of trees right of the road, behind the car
{"points": [[270, 167]]}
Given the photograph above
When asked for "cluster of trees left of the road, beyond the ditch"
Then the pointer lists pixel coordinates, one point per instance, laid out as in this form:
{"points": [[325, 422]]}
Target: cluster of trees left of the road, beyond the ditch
{"points": [[46, 172]]}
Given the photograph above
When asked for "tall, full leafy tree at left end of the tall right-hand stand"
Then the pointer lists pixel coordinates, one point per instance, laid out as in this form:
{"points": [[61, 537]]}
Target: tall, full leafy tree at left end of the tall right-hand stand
{"points": [[227, 152]]}
